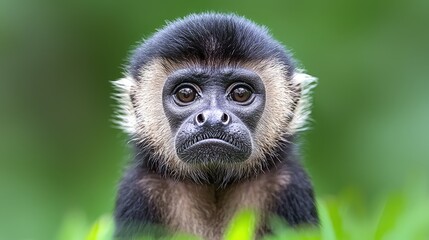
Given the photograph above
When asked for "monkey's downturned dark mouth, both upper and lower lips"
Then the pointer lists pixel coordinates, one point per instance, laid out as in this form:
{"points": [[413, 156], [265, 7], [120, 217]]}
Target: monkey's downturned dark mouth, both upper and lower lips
{"points": [[214, 147]]}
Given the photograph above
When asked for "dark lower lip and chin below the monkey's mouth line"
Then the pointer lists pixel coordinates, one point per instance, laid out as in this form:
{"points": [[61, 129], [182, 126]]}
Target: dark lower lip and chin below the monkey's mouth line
{"points": [[213, 151]]}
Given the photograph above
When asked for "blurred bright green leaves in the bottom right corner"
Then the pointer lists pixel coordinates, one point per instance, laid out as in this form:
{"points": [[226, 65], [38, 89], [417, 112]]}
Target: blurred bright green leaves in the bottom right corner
{"points": [[402, 215]]}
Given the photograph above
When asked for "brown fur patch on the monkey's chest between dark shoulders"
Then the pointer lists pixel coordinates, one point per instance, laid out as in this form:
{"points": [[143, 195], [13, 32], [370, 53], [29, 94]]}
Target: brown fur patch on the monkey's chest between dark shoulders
{"points": [[205, 212]]}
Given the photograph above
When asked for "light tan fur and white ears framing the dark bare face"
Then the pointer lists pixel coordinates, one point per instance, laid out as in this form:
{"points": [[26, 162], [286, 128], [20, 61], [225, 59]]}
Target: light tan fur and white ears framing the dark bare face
{"points": [[141, 110]]}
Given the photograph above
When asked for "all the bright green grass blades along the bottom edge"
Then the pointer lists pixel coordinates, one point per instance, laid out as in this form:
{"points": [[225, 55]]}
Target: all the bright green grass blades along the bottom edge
{"points": [[403, 215]]}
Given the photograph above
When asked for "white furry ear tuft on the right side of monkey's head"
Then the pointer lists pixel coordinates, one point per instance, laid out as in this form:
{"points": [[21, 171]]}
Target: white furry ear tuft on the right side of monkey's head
{"points": [[305, 83]]}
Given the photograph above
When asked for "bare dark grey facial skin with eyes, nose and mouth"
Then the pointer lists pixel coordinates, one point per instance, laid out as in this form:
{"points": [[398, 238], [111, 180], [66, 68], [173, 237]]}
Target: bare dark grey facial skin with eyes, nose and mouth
{"points": [[213, 113]]}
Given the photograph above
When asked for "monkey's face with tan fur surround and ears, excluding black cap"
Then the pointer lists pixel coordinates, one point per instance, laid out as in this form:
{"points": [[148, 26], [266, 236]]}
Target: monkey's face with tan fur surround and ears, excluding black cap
{"points": [[212, 123]]}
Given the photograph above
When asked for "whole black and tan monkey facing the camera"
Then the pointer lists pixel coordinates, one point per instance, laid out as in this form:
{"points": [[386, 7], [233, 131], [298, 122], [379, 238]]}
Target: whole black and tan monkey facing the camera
{"points": [[213, 106]]}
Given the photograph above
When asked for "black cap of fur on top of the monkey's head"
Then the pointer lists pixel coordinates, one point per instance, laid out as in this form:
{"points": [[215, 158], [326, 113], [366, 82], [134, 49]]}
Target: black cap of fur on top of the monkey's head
{"points": [[210, 39]]}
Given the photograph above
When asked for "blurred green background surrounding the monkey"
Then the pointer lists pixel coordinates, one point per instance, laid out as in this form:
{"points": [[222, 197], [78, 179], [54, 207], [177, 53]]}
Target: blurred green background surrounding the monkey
{"points": [[59, 152]]}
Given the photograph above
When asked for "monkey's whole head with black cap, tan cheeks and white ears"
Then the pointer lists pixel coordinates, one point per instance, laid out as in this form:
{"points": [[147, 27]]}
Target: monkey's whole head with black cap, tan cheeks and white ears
{"points": [[211, 96]]}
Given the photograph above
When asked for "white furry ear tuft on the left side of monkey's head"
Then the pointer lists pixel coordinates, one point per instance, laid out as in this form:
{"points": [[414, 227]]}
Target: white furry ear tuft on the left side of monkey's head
{"points": [[125, 116]]}
